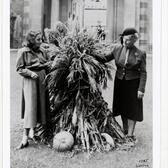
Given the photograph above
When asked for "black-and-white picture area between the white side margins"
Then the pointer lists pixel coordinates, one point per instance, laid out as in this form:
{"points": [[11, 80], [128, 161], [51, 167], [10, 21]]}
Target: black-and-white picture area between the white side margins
{"points": [[81, 84]]}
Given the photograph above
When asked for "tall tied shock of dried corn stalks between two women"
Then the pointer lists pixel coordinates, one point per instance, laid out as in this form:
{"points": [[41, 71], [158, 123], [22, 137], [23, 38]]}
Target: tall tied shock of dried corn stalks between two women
{"points": [[77, 104]]}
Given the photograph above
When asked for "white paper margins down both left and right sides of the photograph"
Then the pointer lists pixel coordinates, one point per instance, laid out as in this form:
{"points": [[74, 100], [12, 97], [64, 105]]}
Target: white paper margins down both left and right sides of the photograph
{"points": [[160, 83]]}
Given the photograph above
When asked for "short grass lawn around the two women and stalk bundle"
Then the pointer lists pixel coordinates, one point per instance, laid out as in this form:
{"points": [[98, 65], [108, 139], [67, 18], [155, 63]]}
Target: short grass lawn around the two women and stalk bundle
{"points": [[40, 156]]}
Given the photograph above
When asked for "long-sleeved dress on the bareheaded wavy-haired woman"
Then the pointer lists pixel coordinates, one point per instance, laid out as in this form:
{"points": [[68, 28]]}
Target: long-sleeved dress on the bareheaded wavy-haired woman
{"points": [[35, 99]]}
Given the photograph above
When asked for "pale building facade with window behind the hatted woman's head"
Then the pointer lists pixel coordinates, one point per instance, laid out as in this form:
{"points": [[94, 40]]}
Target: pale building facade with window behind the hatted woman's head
{"points": [[130, 13]]}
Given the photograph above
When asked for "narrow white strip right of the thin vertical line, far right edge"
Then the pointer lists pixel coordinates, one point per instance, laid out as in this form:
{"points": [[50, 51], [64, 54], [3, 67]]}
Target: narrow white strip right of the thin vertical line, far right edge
{"points": [[164, 85]]}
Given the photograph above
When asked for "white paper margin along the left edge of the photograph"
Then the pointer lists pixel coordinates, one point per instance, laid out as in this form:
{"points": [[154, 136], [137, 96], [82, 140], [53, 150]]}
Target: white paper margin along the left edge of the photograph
{"points": [[5, 83]]}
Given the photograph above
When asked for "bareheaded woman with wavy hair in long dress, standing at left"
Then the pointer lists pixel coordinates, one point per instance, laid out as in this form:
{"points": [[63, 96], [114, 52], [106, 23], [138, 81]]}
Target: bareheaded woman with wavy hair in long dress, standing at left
{"points": [[32, 64]]}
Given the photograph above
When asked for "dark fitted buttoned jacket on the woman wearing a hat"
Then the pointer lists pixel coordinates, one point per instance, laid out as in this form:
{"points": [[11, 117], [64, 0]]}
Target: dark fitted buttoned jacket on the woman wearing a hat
{"points": [[135, 67]]}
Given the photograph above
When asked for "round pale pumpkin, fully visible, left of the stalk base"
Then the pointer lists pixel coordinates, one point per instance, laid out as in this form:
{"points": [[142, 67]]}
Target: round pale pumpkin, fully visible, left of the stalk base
{"points": [[63, 141]]}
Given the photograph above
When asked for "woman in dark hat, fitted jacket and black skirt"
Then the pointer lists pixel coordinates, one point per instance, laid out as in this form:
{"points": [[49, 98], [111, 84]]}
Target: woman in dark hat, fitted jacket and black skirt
{"points": [[130, 81]]}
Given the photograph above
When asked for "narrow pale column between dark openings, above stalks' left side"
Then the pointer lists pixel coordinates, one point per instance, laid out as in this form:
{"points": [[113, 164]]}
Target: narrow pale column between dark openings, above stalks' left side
{"points": [[55, 8]]}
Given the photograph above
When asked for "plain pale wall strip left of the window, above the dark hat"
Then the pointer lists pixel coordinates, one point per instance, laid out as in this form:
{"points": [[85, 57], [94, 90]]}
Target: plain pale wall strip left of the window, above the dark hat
{"points": [[120, 14]]}
